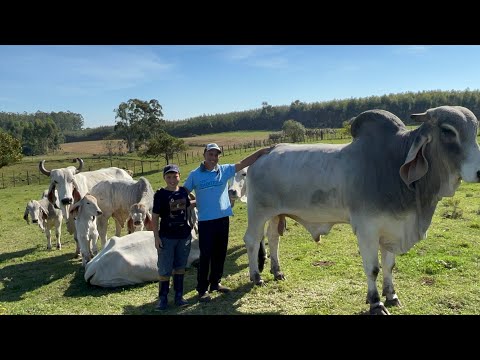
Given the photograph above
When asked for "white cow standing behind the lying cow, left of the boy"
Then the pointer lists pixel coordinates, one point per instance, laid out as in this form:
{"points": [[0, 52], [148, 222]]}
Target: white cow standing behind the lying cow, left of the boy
{"points": [[124, 200]]}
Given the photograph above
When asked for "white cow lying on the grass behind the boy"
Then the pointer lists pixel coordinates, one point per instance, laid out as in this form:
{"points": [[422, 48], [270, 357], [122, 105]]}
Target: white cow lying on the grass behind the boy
{"points": [[128, 260]]}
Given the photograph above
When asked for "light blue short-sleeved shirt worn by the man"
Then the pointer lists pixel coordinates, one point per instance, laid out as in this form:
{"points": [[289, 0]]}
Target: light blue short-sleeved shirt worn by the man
{"points": [[211, 190]]}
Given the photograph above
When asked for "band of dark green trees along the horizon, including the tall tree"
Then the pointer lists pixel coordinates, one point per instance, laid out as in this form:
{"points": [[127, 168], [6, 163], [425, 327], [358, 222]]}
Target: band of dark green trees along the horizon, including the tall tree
{"points": [[141, 125]]}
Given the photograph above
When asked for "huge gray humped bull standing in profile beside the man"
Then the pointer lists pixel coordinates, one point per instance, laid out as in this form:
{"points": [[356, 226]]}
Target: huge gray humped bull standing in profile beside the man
{"points": [[386, 183]]}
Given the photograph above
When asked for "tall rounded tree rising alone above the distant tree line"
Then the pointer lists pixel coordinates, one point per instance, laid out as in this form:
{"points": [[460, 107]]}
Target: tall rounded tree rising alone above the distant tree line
{"points": [[137, 120]]}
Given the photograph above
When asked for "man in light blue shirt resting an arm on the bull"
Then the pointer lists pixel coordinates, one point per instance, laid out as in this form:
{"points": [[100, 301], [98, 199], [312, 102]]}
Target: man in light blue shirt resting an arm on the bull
{"points": [[210, 182]]}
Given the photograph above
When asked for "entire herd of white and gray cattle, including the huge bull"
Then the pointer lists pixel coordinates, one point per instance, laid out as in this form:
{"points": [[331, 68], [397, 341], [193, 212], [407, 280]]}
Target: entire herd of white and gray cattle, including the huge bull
{"points": [[386, 184]]}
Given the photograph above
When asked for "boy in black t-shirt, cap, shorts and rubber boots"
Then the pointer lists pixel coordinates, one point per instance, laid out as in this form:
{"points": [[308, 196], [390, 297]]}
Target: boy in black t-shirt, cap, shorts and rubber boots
{"points": [[173, 240]]}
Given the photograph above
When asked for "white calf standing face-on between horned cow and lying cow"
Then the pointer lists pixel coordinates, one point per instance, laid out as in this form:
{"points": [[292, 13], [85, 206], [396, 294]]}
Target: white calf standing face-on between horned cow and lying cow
{"points": [[85, 212]]}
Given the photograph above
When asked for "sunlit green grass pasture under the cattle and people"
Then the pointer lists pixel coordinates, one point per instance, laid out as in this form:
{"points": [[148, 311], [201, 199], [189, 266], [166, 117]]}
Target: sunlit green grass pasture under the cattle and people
{"points": [[439, 275]]}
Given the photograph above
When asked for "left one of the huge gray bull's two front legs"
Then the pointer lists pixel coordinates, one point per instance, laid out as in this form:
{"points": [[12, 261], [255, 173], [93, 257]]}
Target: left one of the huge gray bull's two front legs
{"points": [[369, 246]]}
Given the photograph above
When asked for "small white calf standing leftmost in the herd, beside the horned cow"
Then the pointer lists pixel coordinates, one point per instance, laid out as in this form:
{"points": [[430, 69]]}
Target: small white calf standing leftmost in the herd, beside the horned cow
{"points": [[47, 217]]}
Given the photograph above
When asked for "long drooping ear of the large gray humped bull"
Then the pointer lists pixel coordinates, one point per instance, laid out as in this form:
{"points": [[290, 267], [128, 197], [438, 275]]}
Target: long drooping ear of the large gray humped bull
{"points": [[415, 165]]}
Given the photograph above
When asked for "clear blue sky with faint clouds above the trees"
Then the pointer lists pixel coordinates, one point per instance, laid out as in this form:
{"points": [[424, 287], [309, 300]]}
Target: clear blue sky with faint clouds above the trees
{"points": [[194, 80]]}
